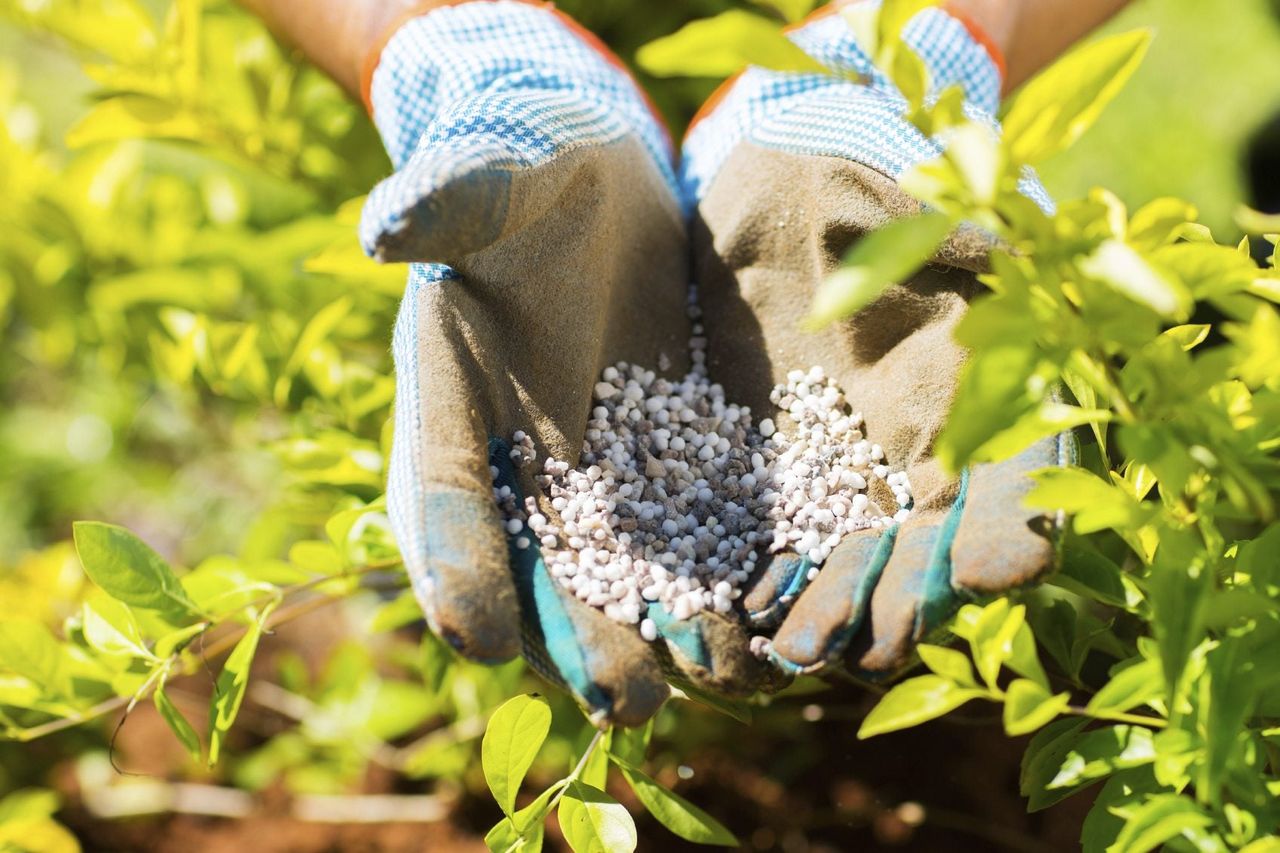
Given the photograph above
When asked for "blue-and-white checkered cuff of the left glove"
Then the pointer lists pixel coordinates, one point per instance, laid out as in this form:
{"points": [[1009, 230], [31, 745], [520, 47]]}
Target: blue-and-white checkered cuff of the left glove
{"points": [[461, 69]]}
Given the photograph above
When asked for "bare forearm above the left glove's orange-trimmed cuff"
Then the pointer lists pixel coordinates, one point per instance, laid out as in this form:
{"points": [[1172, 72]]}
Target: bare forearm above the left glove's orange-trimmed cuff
{"points": [[336, 35]]}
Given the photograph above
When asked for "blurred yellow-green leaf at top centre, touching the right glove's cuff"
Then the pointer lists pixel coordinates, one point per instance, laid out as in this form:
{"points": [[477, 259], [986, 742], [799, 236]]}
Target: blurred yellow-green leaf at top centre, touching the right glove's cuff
{"points": [[724, 45]]}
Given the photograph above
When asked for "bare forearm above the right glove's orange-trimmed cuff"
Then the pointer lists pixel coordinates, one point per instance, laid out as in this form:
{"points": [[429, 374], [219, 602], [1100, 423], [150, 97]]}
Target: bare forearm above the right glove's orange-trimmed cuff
{"points": [[1032, 34]]}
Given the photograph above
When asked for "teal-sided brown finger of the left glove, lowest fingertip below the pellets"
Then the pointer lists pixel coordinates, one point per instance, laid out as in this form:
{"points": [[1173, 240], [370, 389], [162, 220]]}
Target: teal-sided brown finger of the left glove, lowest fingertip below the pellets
{"points": [[604, 664]]}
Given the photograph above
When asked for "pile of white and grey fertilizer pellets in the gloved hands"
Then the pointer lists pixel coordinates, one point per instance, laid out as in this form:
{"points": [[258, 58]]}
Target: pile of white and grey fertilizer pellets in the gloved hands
{"points": [[679, 492]]}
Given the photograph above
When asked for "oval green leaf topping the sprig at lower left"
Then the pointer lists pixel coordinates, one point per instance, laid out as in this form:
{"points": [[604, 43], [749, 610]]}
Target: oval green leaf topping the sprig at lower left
{"points": [[130, 572]]}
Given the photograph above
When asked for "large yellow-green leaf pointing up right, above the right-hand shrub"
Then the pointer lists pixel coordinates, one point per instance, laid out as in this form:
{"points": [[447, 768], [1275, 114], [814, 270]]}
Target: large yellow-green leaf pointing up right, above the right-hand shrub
{"points": [[1063, 102]]}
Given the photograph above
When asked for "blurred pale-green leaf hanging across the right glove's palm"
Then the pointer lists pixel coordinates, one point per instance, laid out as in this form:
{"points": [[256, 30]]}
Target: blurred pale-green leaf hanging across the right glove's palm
{"points": [[884, 258]]}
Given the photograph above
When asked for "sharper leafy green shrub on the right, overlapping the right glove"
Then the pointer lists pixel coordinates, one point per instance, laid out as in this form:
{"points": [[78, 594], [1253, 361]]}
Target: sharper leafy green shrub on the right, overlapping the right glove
{"points": [[1168, 344]]}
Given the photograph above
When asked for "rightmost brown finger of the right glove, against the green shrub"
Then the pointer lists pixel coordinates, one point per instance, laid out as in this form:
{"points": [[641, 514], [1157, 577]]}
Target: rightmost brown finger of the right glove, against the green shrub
{"points": [[1002, 545]]}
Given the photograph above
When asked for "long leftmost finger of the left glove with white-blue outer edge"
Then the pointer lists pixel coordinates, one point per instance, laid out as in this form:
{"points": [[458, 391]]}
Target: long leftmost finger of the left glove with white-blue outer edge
{"points": [[440, 500]]}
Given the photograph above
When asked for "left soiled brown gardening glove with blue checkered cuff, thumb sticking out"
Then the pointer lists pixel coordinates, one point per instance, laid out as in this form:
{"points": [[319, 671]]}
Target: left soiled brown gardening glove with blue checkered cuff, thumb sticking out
{"points": [[536, 198]]}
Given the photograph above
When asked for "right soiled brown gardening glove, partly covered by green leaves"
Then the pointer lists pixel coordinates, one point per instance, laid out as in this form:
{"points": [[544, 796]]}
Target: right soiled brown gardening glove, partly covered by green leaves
{"points": [[788, 172]]}
